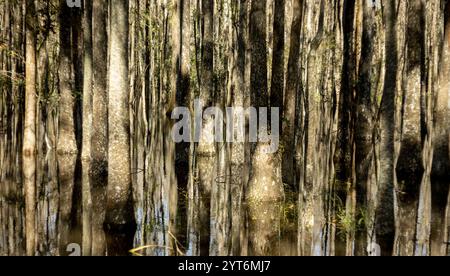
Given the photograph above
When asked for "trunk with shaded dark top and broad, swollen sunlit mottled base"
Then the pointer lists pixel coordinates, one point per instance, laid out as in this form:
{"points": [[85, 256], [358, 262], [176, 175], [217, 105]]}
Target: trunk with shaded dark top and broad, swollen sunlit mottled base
{"points": [[265, 189]]}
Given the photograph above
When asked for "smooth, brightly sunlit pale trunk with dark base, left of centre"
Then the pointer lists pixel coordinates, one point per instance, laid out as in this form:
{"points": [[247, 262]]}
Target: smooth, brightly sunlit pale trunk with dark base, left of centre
{"points": [[119, 213]]}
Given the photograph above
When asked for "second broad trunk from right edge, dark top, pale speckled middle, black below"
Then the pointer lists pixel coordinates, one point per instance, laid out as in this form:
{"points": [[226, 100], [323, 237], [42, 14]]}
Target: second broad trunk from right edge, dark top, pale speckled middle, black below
{"points": [[409, 169]]}
